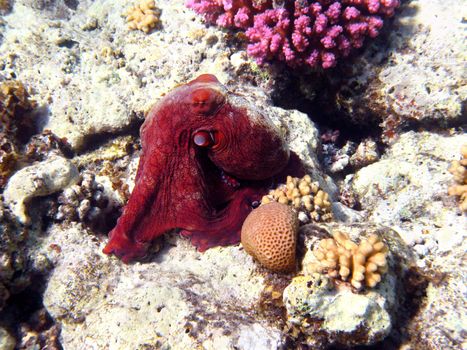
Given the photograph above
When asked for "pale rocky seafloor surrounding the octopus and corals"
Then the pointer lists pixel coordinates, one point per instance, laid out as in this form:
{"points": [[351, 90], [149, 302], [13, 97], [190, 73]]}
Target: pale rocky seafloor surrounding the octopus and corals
{"points": [[379, 133]]}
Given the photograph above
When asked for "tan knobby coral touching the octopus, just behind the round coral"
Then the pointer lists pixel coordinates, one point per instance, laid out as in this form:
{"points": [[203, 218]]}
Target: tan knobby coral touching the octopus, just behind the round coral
{"points": [[305, 196]]}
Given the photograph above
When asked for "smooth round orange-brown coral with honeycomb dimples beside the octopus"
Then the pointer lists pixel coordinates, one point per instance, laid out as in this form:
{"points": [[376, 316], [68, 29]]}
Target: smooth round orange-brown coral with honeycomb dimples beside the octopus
{"points": [[269, 234]]}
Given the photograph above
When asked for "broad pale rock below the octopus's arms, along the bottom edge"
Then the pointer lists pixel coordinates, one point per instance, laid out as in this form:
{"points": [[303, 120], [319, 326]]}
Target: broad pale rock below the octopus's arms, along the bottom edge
{"points": [[197, 299]]}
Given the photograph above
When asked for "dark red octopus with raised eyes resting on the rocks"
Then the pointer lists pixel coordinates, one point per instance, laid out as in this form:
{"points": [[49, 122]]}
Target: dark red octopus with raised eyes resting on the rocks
{"points": [[207, 158]]}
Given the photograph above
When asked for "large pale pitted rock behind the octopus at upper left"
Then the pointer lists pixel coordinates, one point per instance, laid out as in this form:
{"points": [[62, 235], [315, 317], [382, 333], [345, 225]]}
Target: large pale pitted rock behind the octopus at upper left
{"points": [[102, 78]]}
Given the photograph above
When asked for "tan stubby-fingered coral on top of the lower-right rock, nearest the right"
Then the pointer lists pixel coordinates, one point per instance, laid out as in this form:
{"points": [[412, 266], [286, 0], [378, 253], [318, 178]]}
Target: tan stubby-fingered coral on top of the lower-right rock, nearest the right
{"points": [[360, 264]]}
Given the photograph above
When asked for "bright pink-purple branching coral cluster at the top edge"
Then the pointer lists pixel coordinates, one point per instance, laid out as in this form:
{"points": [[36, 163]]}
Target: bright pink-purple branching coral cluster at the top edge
{"points": [[300, 32]]}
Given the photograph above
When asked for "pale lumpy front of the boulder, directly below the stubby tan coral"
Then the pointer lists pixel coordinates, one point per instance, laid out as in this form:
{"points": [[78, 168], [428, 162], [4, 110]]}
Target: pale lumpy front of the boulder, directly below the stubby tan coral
{"points": [[322, 316]]}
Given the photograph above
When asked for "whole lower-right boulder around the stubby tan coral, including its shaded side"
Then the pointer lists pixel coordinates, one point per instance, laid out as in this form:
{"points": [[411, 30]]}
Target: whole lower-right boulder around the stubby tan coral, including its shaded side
{"points": [[332, 313]]}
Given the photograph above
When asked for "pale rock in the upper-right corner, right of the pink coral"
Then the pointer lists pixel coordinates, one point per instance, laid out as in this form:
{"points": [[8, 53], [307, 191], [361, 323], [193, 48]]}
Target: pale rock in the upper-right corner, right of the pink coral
{"points": [[410, 74]]}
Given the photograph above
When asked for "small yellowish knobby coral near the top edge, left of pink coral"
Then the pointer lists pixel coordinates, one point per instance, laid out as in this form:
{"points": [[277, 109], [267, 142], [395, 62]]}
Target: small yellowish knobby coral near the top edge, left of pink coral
{"points": [[143, 16]]}
